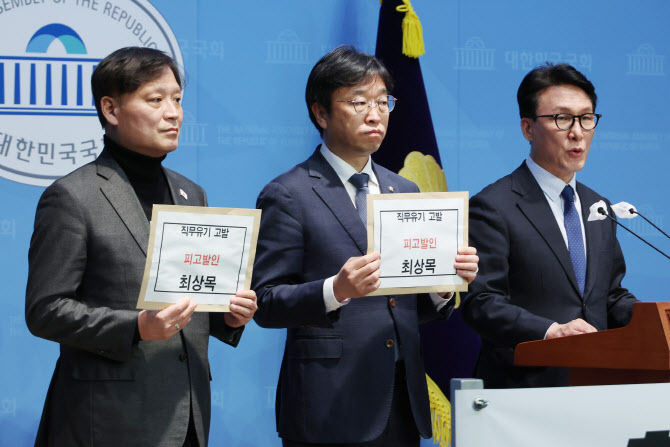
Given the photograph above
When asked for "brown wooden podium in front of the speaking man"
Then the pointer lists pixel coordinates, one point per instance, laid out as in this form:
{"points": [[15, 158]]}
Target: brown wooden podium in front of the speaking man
{"points": [[636, 353]]}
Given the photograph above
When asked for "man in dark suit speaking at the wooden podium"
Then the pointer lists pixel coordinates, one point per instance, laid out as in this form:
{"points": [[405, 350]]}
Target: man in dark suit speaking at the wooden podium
{"points": [[546, 271]]}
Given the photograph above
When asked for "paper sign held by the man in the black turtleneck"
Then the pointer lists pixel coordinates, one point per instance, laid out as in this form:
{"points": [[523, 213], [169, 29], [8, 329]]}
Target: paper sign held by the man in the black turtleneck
{"points": [[202, 253]]}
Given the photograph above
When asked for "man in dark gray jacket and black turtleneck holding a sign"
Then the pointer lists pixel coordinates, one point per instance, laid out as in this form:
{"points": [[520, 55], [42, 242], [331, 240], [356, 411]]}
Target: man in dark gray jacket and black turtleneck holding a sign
{"points": [[124, 377]]}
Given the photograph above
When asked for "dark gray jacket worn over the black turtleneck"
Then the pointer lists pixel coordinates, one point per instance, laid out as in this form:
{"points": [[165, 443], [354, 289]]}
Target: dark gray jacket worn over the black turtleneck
{"points": [[86, 262]]}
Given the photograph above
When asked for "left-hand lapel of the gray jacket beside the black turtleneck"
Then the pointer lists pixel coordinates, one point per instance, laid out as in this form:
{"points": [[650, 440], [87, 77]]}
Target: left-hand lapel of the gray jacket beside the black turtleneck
{"points": [[120, 194]]}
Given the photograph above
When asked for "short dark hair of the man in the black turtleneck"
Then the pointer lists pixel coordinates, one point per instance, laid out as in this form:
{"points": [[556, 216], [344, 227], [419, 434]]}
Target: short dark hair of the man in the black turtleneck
{"points": [[126, 69]]}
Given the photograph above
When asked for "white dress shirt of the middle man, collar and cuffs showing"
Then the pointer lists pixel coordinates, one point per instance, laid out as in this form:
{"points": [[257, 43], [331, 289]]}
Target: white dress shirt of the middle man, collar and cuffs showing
{"points": [[344, 171]]}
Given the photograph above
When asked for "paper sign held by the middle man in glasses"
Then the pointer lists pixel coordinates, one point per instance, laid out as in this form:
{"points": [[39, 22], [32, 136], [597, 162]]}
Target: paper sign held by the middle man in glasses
{"points": [[418, 236]]}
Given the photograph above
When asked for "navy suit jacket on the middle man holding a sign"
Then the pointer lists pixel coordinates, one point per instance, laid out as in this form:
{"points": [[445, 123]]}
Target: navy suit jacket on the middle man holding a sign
{"points": [[337, 375]]}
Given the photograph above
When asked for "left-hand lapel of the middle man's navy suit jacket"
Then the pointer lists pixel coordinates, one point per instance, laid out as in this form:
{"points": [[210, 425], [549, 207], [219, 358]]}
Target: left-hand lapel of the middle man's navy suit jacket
{"points": [[328, 186]]}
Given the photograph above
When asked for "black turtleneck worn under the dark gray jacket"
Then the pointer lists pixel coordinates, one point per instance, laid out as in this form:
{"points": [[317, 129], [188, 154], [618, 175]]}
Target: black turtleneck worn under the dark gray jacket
{"points": [[145, 173]]}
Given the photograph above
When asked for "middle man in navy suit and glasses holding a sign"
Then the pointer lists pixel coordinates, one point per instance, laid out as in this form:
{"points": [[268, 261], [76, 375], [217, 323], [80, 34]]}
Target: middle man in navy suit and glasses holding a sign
{"points": [[352, 372]]}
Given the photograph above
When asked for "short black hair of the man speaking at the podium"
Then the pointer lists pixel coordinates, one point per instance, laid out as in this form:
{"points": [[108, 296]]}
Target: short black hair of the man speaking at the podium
{"points": [[549, 75]]}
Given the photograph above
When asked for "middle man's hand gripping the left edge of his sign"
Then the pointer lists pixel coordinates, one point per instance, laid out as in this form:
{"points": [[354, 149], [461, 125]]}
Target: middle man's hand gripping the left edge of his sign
{"points": [[357, 277]]}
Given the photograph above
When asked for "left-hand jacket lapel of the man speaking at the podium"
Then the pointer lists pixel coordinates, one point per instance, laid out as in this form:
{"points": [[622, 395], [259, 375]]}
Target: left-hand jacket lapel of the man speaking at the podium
{"points": [[533, 204]]}
